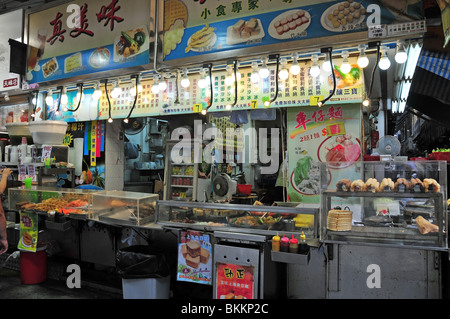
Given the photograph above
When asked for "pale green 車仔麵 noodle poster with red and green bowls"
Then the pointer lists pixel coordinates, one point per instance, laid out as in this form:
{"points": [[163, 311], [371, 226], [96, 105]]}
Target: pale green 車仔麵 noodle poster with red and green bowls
{"points": [[328, 134]]}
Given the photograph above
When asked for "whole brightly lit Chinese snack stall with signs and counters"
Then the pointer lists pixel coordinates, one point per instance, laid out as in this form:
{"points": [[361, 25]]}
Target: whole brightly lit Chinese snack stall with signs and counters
{"points": [[205, 62]]}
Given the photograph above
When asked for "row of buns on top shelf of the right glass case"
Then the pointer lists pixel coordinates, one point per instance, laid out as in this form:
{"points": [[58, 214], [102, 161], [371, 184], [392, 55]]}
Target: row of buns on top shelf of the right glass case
{"points": [[414, 185]]}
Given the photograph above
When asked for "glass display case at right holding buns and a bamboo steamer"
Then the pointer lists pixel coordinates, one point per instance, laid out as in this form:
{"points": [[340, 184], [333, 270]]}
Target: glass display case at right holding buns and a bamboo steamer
{"points": [[386, 203]]}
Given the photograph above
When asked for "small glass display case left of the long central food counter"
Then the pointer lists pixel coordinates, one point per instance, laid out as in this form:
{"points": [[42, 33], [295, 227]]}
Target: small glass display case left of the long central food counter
{"points": [[124, 208]]}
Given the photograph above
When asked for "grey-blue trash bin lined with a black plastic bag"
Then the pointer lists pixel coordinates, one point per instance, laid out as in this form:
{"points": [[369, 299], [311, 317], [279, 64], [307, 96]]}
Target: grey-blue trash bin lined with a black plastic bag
{"points": [[145, 272]]}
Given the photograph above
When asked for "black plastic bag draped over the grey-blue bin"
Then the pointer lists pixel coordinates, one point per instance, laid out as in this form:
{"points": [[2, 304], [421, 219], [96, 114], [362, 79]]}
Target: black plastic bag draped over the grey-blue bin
{"points": [[141, 262]]}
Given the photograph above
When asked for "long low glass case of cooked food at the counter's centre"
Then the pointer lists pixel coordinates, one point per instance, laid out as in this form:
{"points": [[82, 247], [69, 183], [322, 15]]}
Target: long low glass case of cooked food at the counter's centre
{"points": [[266, 220]]}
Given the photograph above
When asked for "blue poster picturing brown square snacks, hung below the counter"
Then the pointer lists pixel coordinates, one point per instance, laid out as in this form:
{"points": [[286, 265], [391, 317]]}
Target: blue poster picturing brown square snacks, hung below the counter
{"points": [[194, 257]]}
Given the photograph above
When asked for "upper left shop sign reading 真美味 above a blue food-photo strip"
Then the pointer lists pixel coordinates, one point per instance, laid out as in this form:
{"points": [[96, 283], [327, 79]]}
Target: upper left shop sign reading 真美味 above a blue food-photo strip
{"points": [[87, 37]]}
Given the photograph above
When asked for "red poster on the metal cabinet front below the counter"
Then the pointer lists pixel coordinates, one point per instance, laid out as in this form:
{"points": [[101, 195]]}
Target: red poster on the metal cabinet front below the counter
{"points": [[234, 281]]}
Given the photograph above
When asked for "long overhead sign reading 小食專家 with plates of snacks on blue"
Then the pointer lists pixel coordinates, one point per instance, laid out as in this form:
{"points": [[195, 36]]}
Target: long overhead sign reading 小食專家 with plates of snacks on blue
{"points": [[195, 28]]}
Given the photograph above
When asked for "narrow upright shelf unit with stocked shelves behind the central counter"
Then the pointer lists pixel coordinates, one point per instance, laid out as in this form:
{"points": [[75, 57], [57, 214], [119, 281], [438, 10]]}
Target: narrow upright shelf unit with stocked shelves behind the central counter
{"points": [[181, 173]]}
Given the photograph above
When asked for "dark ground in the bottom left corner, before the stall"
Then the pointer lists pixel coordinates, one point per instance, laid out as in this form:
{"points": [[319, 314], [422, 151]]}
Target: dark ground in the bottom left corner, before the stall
{"points": [[12, 288]]}
